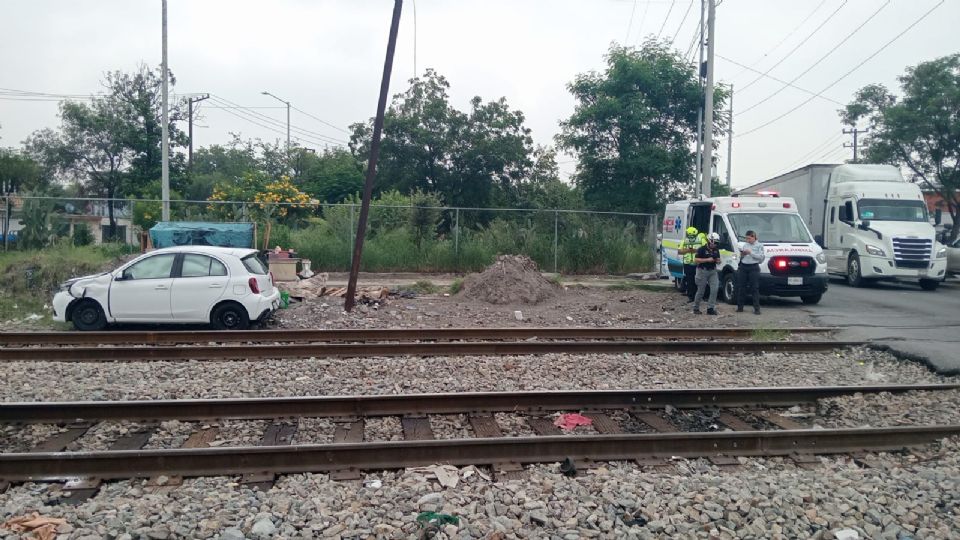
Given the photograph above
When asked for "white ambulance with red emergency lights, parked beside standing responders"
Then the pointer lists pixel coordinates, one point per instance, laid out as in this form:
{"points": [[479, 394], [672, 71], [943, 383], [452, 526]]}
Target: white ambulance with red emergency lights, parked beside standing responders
{"points": [[795, 264]]}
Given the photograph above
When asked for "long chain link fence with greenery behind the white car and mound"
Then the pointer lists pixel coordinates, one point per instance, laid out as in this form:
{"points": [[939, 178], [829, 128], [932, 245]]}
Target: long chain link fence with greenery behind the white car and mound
{"points": [[398, 238]]}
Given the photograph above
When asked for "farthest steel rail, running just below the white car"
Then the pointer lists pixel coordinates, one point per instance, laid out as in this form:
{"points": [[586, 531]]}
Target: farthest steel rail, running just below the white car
{"points": [[391, 334]]}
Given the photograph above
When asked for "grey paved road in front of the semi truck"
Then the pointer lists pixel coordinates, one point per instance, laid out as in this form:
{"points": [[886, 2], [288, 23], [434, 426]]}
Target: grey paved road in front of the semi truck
{"points": [[919, 324]]}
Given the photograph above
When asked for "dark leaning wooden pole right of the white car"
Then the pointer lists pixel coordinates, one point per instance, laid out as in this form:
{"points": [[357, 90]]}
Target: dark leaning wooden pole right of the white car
{"points": [[349, 301]]}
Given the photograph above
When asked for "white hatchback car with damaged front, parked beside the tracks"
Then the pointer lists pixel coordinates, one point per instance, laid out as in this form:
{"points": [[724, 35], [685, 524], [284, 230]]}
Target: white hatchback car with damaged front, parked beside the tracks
{"points": [[224, 287]]}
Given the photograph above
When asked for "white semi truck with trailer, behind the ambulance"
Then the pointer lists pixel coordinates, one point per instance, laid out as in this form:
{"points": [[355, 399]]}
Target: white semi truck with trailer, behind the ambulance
{"points": [[871, 223]]}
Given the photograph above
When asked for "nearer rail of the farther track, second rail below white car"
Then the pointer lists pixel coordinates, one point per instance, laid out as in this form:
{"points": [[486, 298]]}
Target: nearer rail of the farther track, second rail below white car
{"points": [[346, 350]]}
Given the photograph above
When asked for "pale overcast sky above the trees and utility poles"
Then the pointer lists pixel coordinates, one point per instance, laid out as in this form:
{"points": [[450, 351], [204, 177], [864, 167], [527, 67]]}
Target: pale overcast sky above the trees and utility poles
{"points": [[326, 57]]}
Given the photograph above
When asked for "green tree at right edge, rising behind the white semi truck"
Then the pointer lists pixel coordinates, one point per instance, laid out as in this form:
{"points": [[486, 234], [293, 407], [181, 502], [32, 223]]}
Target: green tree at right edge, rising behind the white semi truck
{"points": [[919, 130]]}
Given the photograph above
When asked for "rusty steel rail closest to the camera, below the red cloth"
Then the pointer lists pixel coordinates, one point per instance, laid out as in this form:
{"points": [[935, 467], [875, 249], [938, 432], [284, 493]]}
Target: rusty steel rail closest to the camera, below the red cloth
{"points": [[18, 467]]}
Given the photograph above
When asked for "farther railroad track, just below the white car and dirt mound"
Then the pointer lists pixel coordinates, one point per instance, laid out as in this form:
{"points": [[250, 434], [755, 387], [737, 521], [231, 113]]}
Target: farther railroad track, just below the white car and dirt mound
{"points": [[291, 344]]}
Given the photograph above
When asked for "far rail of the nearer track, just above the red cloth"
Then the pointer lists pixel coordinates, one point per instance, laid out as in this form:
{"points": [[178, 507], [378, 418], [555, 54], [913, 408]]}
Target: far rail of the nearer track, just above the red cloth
{"points": [[420, 404]]}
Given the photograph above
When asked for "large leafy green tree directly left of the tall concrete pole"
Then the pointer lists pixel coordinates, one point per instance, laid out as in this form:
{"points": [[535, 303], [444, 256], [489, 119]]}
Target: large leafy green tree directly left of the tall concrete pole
{"points": [[634, 128]]}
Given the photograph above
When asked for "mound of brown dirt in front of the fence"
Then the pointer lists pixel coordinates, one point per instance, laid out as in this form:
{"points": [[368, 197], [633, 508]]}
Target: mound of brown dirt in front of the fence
{"points": [[510, 279]]}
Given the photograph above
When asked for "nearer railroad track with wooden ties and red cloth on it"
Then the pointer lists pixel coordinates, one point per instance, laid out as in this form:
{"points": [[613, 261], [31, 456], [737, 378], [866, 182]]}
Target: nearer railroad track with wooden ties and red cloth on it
{"points": [[648, 426]]}
